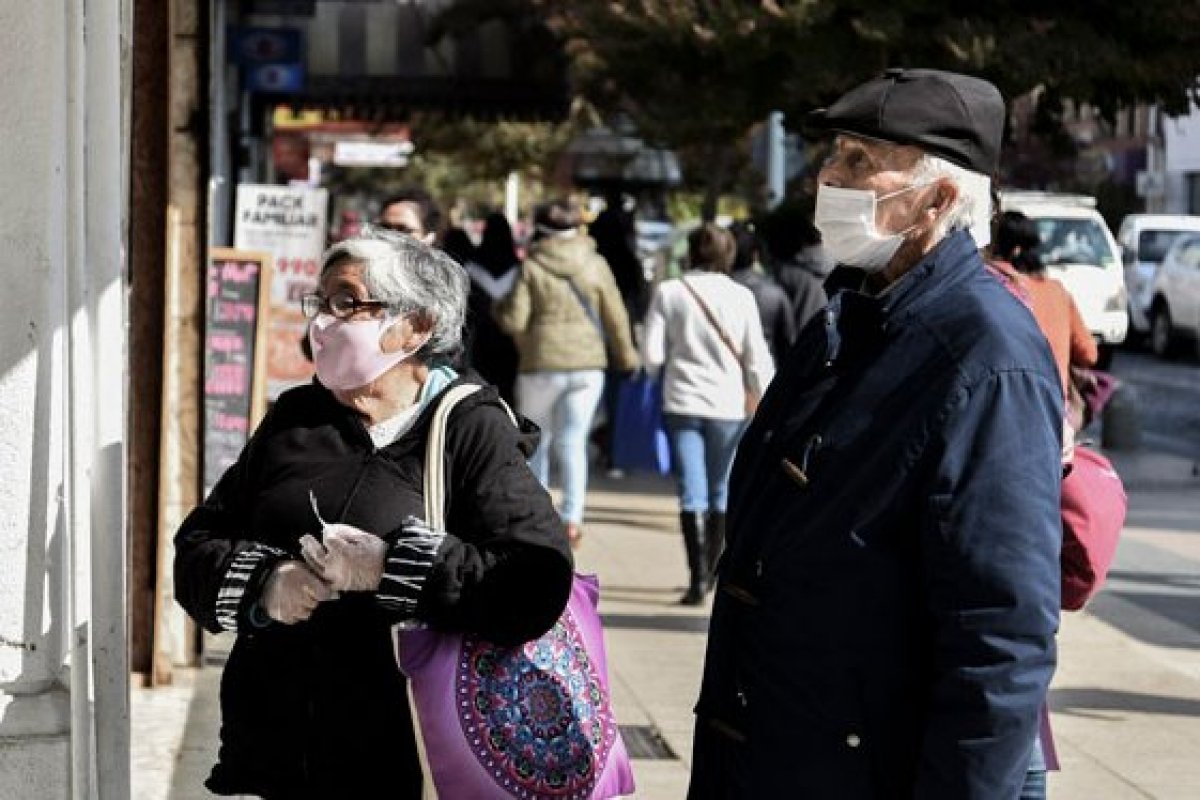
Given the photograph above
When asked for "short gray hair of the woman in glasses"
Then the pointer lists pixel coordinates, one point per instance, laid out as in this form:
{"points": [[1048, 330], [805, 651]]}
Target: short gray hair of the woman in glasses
{"points": [[412, 279]]}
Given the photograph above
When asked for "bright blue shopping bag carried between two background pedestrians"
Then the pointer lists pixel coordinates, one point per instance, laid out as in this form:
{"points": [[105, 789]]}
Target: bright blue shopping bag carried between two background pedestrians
{"points": [[639, 440]]}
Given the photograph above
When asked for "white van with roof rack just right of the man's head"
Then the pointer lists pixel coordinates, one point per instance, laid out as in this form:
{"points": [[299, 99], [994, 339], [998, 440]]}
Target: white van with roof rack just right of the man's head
{"points": [[1079, 250]]}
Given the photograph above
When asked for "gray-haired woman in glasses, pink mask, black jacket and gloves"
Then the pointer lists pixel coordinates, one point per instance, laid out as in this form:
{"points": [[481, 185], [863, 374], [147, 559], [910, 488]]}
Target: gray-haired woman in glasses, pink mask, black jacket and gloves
{"points": [[313, 702]]}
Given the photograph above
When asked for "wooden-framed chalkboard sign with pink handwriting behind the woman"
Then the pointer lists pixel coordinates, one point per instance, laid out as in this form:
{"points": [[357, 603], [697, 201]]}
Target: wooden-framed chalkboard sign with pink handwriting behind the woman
{"points": [[237, 288]]}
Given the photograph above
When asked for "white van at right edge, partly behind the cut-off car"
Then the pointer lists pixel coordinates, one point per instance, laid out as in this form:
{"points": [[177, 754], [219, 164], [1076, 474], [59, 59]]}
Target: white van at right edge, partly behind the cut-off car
{"points": [[1145, 239]]}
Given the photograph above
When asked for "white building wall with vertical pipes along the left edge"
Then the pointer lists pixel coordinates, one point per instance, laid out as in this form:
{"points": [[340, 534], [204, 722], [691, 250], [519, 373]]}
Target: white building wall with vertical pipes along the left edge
{"points": [[63, 648]]}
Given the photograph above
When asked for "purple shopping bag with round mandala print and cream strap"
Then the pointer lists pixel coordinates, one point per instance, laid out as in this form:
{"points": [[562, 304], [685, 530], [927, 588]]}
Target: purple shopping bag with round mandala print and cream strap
{"points": [[532, 721]]}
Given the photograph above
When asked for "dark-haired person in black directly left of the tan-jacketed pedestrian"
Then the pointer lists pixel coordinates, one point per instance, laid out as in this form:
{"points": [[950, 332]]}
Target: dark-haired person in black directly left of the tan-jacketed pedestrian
{"points": [[493, 272]]}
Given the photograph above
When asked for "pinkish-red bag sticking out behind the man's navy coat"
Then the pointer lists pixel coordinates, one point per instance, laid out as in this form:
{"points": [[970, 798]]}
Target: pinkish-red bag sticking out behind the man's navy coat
{"points": [[1094, 512]]}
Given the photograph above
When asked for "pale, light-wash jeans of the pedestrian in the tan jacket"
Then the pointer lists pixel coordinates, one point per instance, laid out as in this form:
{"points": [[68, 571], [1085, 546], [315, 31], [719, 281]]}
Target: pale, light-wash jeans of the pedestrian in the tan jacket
{"points": [[563, 405]]}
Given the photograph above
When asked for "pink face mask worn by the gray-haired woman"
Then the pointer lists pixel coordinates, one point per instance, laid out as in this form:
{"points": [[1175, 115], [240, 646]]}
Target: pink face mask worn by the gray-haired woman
{"points": [[347, 353]]}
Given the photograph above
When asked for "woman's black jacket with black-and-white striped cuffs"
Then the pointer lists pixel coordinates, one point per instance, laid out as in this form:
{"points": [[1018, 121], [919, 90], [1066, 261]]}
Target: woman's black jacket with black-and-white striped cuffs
{"points": [[319, 709]]}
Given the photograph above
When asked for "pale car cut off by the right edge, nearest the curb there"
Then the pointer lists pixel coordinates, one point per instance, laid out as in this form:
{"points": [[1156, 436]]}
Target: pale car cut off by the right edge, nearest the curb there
{"points": [[1175, 299]]}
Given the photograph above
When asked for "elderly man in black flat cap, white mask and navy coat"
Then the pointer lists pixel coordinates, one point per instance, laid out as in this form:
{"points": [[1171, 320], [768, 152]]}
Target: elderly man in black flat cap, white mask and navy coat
{"points": [[886, 615]]}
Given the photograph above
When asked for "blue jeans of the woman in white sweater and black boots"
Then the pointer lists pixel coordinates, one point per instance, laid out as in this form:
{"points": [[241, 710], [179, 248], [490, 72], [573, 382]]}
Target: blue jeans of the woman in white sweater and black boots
{"points": [[701, 456]]}
